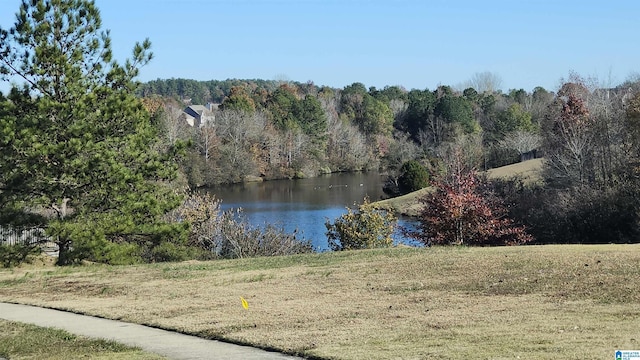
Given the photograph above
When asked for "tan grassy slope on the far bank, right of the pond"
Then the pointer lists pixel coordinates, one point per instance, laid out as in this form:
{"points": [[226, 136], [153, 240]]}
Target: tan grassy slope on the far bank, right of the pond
{"points": [[409, 204]]}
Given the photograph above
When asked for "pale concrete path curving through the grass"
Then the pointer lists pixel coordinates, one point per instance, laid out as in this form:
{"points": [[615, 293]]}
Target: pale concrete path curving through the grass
{"points": [[170, 344]]}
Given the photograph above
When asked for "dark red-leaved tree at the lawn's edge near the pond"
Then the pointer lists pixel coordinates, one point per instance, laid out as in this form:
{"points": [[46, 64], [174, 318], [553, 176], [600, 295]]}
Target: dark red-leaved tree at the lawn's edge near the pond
{"points": [[462, 211]]}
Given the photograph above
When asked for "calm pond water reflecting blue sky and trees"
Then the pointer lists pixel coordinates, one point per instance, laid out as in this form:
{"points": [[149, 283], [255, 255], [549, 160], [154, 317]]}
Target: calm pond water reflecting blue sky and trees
{"points": [[304, 204]]}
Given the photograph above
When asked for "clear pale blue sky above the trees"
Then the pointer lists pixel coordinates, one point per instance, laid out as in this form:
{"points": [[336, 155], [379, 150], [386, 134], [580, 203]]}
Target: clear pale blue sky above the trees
{"points": [[416, 44]]}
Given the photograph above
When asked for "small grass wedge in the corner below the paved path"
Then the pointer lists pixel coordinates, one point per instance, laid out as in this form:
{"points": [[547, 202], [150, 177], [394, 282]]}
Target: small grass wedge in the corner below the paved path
{"points": [[21, 341]]}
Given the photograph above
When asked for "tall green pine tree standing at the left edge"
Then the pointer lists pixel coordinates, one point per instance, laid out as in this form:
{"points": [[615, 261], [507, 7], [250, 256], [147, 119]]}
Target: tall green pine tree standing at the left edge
{"points": [[77, 146]]}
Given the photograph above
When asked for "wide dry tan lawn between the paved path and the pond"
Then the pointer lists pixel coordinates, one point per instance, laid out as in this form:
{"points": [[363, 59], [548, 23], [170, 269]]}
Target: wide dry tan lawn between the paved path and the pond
{"points": [[533, 302]]}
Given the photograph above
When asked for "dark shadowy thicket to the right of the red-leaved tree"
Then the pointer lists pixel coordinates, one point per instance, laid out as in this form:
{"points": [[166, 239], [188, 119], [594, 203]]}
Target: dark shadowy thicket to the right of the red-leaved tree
{"points": [[580, 215]]}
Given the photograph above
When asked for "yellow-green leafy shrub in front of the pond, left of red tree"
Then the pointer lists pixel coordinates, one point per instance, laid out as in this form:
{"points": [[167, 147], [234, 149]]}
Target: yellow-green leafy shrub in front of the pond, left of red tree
{"points": [[364, 228]]}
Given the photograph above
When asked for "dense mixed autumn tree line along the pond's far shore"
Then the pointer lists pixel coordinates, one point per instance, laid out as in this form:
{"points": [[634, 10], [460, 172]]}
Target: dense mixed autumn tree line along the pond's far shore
{"points": [[274, 129]]}
